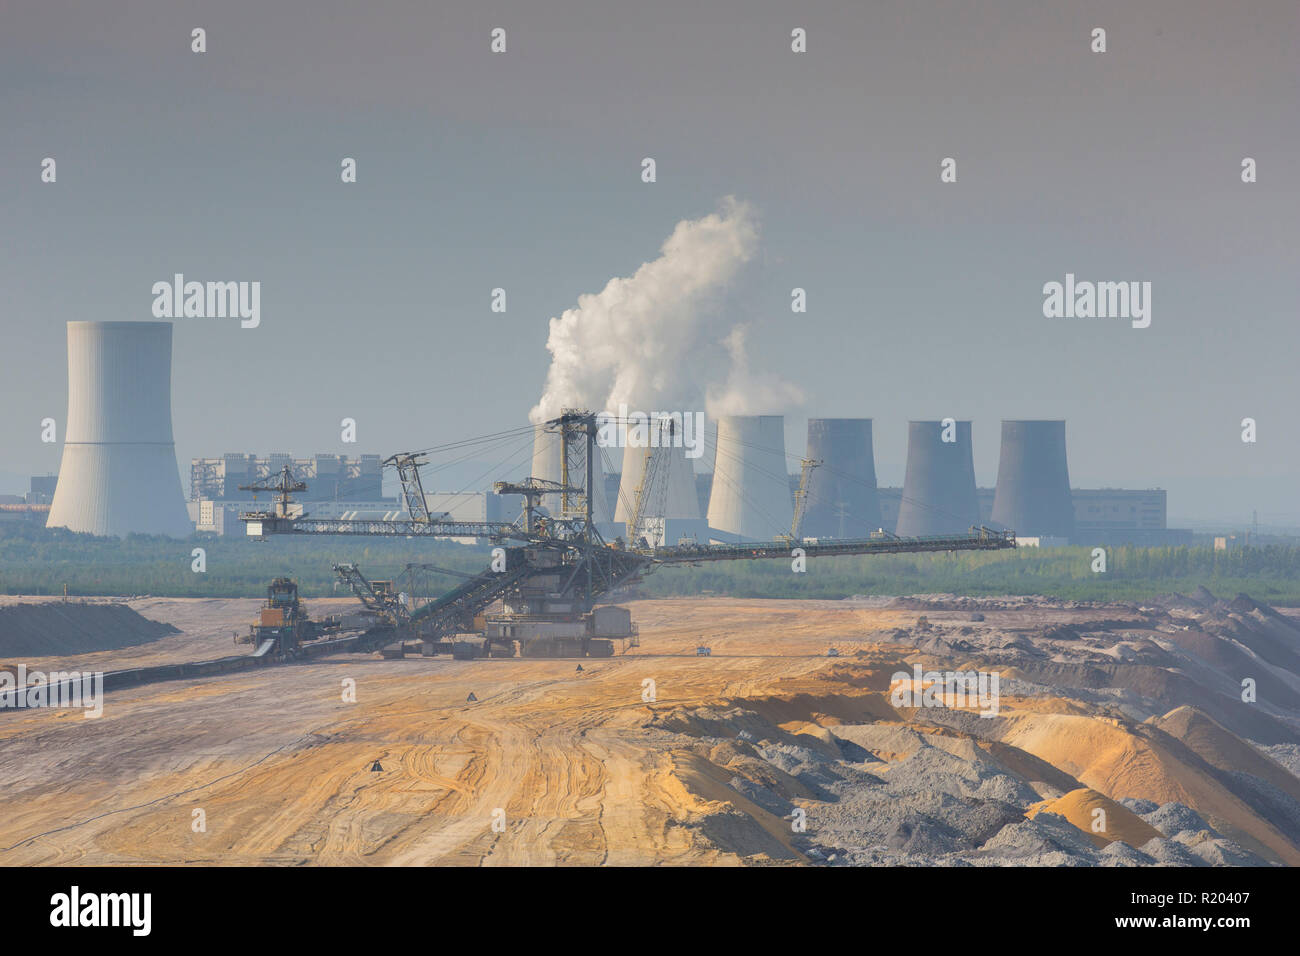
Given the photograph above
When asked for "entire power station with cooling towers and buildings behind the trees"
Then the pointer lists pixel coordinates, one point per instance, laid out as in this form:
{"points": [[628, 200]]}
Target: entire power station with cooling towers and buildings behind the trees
{"points": [[119, 475]]}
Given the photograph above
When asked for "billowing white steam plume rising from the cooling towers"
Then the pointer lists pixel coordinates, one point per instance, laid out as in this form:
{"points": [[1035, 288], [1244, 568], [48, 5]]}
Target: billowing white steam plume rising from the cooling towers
{"points": [[648, 340]]}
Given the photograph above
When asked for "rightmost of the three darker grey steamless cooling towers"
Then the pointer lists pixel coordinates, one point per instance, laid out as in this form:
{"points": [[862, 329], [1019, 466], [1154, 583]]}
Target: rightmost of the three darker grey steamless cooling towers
{"points": [[1033, 495]]}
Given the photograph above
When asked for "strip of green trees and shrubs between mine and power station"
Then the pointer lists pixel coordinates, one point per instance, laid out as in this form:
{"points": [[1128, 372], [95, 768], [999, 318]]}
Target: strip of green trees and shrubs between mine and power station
{"points": [[38, 561]]}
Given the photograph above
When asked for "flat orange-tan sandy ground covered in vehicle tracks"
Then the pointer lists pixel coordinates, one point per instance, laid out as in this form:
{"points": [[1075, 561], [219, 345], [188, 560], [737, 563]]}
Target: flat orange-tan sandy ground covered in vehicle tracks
{"points": [[283, 768]]}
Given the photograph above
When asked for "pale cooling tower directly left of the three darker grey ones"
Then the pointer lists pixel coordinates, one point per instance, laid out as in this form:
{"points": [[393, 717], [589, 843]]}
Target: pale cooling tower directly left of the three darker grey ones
{"points": [[751, 499]]}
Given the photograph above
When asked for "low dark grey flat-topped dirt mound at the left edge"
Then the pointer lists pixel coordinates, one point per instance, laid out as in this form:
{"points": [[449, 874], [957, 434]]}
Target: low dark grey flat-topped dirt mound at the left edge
{"points": [[63, 628]]}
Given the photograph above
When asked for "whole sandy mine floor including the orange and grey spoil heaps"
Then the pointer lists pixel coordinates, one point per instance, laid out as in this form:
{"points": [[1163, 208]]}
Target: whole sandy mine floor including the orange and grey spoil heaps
{"points": [[553, 765]]}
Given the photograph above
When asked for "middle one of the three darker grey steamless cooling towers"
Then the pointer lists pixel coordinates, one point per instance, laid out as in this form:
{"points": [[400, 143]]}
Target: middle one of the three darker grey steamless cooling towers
{"points": [[939, 490]]}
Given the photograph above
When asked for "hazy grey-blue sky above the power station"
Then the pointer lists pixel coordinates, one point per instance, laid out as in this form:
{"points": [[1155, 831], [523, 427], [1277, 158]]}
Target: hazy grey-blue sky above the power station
{"points": [[523, 171]]}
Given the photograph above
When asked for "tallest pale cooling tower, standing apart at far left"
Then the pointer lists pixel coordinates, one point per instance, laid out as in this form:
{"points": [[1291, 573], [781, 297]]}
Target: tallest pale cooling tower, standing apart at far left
{"points": [[119, 474]]}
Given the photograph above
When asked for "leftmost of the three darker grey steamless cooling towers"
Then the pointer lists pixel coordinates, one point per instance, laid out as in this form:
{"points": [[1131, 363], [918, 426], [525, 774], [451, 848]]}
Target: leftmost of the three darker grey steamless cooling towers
{"points": [[842, 492]]}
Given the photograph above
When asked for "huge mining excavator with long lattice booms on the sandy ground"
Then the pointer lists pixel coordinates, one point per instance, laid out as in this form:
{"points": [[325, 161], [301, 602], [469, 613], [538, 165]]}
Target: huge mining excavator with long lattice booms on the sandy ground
{"points": [[541, 595]]}
